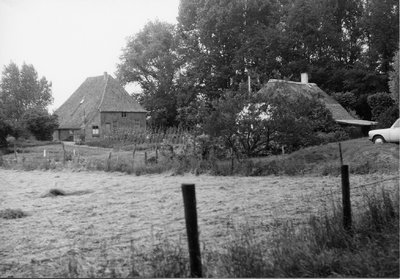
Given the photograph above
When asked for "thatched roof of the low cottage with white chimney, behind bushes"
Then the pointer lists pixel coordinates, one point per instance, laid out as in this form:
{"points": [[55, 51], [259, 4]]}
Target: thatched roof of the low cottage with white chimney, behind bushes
{"points": [[294, 89]]}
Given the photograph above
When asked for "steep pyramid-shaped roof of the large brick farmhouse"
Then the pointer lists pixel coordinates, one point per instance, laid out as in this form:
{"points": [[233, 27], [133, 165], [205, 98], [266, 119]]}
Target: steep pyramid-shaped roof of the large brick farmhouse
{"points": [[96, 94]]}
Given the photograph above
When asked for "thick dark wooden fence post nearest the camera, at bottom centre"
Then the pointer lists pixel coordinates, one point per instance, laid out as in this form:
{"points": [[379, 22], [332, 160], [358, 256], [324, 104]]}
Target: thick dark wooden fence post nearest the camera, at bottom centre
{"points": [[189, 202]]}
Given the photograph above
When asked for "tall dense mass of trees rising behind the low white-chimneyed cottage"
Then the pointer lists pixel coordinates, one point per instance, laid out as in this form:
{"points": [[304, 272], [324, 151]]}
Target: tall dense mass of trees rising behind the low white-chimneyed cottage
{"points": [[348, 47]]}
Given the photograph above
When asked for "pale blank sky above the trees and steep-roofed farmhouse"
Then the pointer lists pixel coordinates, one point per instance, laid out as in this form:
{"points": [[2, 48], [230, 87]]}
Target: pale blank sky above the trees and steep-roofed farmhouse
{"points": [[67, 41]]}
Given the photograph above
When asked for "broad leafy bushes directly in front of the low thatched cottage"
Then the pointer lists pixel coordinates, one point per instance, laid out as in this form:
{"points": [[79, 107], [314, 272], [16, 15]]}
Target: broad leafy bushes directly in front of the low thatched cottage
{"points": [[254, 124]]}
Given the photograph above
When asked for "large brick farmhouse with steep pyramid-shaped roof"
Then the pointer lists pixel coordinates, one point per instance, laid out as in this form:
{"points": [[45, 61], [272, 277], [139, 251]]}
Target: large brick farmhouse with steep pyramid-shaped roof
{"points": [[96, 109]]}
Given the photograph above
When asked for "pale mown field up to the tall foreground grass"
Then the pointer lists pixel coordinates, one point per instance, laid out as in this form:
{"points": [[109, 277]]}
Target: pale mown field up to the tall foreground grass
{"points": [[121, 207]]}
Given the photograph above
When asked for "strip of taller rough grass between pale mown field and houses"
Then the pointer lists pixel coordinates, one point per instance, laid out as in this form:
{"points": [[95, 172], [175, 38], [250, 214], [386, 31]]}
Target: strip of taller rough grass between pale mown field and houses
{"points": [[361, 155]]}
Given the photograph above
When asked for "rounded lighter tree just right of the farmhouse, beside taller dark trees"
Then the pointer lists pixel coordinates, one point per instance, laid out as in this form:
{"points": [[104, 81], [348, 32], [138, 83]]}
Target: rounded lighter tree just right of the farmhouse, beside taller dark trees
{"points": [[150, 59]]}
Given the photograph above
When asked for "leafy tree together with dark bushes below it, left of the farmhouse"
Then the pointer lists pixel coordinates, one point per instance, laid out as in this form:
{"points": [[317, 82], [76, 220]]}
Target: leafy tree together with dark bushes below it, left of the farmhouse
{"points": [[24, 99]]}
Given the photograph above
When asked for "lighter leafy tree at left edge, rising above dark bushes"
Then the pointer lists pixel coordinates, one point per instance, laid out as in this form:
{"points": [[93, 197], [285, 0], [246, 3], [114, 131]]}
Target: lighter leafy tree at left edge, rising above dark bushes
{"points": [[21, 90]]}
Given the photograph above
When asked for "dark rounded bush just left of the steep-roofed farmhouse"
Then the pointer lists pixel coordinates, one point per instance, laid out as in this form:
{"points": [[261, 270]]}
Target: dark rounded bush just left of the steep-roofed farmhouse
{"points": [[40, 123]]}
